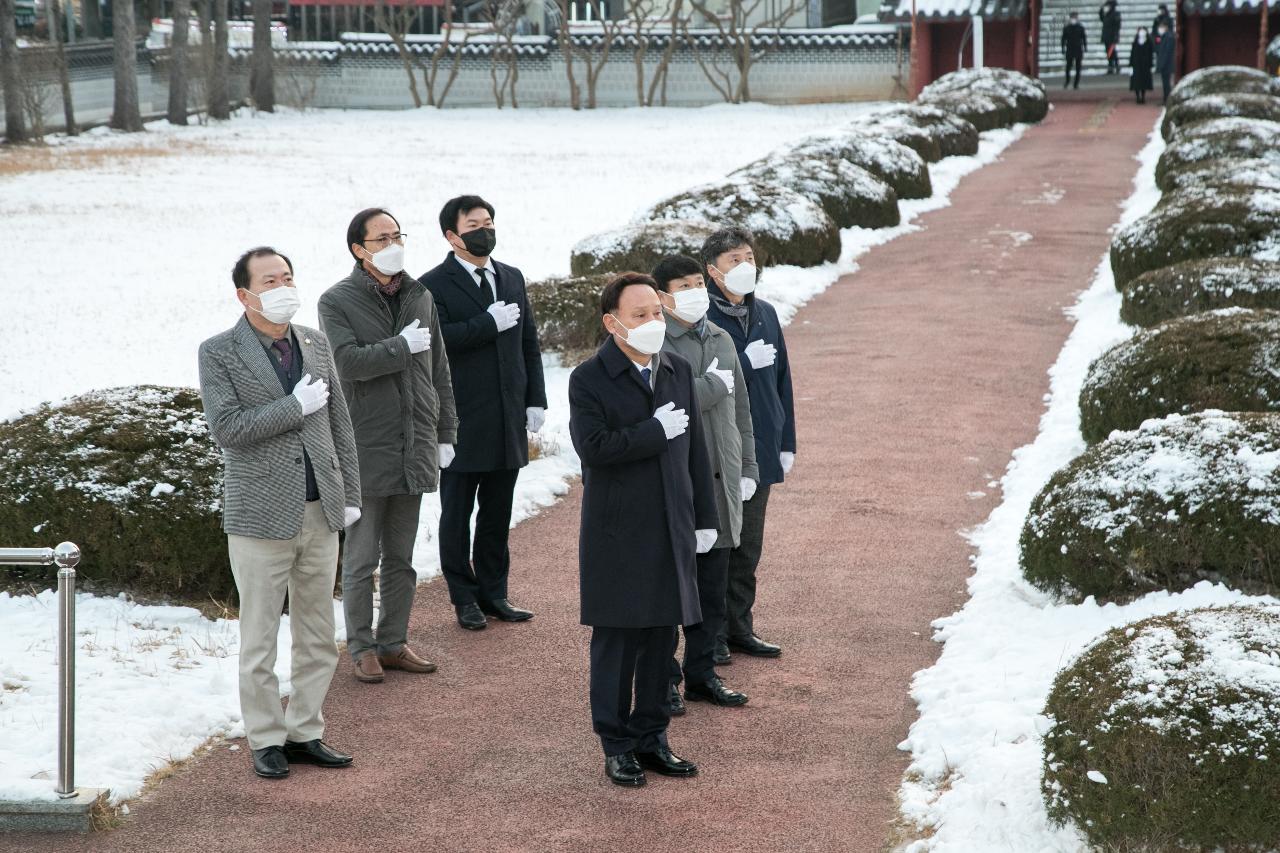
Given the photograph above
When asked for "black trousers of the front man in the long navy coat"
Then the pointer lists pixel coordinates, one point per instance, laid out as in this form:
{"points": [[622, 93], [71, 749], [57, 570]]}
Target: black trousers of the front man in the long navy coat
{"points": [[629, 687]]}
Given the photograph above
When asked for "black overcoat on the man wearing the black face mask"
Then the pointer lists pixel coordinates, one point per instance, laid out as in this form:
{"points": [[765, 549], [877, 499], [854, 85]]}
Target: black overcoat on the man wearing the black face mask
{"points": [[496, 377]]}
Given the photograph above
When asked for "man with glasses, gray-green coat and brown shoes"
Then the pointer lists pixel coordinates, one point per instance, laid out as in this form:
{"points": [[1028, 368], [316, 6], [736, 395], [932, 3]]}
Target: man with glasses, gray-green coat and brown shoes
{"points": [[386, 337]]}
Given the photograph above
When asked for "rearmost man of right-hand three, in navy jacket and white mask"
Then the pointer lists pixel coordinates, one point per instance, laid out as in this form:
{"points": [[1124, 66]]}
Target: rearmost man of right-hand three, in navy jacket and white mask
{"points": [[729, 259]]}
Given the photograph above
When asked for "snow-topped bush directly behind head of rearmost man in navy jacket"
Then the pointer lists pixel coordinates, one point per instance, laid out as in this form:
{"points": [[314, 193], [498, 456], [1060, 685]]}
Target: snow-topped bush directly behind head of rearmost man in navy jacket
{"points": [[789, 227]]}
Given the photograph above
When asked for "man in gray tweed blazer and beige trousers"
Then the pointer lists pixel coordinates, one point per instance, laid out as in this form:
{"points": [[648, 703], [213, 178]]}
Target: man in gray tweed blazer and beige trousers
{"points": [[291, 483]]}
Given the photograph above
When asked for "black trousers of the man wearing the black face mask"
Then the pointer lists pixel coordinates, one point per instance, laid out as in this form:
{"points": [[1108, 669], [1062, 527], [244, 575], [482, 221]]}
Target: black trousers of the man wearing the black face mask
{"points": [[477, 573]]}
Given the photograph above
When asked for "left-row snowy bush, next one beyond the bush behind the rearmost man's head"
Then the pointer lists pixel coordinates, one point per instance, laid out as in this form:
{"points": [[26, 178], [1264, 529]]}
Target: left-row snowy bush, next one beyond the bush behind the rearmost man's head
{"points": [[851, 195]]}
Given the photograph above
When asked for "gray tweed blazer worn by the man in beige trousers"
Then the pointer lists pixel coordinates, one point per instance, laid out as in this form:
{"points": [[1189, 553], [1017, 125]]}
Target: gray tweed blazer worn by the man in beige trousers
{"points": [[262, 431]]}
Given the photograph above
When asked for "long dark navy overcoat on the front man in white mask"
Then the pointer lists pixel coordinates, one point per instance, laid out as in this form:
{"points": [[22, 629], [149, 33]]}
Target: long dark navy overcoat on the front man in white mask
{"points": [[643, 496]]}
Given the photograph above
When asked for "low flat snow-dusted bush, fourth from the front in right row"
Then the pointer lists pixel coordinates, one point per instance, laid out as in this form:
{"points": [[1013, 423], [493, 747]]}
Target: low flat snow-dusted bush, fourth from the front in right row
{"points": [[1200, 286]]}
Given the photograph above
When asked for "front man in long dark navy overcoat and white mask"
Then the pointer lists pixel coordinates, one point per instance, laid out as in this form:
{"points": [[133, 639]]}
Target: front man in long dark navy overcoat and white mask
{"points": [[648, 509]]}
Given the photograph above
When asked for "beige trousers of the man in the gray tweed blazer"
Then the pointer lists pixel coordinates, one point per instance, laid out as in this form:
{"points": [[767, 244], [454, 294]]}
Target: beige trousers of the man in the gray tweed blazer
{"points": [[264, 569]]}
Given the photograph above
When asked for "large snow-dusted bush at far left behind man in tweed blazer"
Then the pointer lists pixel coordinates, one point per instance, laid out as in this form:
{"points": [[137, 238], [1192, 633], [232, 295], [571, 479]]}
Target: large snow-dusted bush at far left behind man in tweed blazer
{"points": [[132, 477]]}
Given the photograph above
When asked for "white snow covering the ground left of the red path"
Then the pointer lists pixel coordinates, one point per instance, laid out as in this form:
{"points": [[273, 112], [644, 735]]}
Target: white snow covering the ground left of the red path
{"points": [[140, 250]]}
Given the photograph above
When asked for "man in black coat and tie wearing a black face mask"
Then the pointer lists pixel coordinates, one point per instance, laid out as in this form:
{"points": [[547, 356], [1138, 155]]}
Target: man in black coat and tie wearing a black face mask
{"points": [[499, 386]]}
